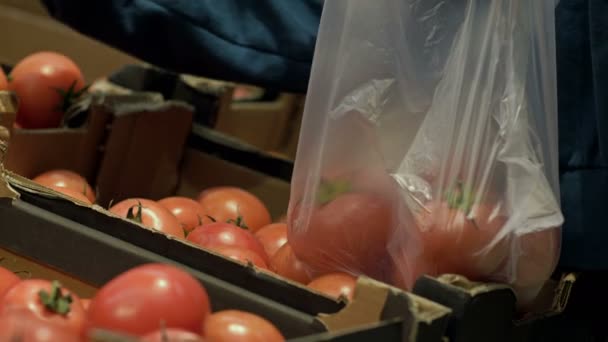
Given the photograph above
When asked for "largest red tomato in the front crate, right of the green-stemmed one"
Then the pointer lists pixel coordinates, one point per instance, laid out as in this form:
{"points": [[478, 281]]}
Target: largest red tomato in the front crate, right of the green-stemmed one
{"points": [[137, 301]]}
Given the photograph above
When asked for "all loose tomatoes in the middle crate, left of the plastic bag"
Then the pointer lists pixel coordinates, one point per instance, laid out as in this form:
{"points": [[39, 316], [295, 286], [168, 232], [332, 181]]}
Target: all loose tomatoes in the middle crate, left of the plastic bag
{"points": [[226, 220]]}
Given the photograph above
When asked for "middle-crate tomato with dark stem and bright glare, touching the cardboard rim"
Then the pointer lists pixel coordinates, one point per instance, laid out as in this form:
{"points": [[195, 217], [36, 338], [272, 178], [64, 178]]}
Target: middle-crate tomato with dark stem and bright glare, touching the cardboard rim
{"points": [[150, 214]]}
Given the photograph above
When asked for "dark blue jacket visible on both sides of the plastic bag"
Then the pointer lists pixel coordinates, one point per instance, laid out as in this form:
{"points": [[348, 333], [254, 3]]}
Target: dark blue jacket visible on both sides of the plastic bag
{"points": [[271, 42]]}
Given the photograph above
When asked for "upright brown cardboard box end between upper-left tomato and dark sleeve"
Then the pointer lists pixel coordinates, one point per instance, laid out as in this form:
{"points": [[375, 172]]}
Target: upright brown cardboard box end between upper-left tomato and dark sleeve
{"points": [[143, 149]]}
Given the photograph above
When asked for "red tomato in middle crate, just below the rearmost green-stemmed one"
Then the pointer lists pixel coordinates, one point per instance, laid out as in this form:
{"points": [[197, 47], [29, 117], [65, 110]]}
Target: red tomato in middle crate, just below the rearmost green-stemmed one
{"points": [[218, 234]]}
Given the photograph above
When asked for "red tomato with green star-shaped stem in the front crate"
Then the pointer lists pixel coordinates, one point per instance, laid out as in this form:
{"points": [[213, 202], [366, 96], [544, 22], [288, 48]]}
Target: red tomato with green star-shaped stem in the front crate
{"points": [[59, 306]]}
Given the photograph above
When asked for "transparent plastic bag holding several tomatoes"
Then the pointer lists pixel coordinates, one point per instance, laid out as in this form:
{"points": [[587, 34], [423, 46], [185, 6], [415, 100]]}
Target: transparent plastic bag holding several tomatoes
{"points": [[429, 143]]}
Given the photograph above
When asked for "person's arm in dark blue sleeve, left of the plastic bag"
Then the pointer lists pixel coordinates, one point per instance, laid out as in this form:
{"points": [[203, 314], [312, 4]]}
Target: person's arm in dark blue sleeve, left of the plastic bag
{"points": [[268, 43]]}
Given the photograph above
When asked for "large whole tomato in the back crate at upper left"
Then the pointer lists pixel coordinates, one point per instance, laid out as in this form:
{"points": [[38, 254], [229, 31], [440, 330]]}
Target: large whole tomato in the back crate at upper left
{"points": [[46, 83]]}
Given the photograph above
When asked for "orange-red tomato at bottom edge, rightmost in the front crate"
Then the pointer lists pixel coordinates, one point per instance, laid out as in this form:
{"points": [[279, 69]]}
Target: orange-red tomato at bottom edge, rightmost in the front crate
{"points": [[235, 326]]}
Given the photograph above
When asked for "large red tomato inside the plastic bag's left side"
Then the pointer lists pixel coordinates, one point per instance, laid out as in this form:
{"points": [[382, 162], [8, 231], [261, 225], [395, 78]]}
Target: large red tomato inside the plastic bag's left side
{"points": [[349, 234]]}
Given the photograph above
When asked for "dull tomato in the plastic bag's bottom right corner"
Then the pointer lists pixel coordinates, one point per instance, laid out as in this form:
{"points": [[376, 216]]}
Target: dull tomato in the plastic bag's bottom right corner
{"points": [[535, 261]]}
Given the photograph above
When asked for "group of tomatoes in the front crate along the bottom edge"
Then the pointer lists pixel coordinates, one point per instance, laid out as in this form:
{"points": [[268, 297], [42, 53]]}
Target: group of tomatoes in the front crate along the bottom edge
{"points": [[151, 303]]}
